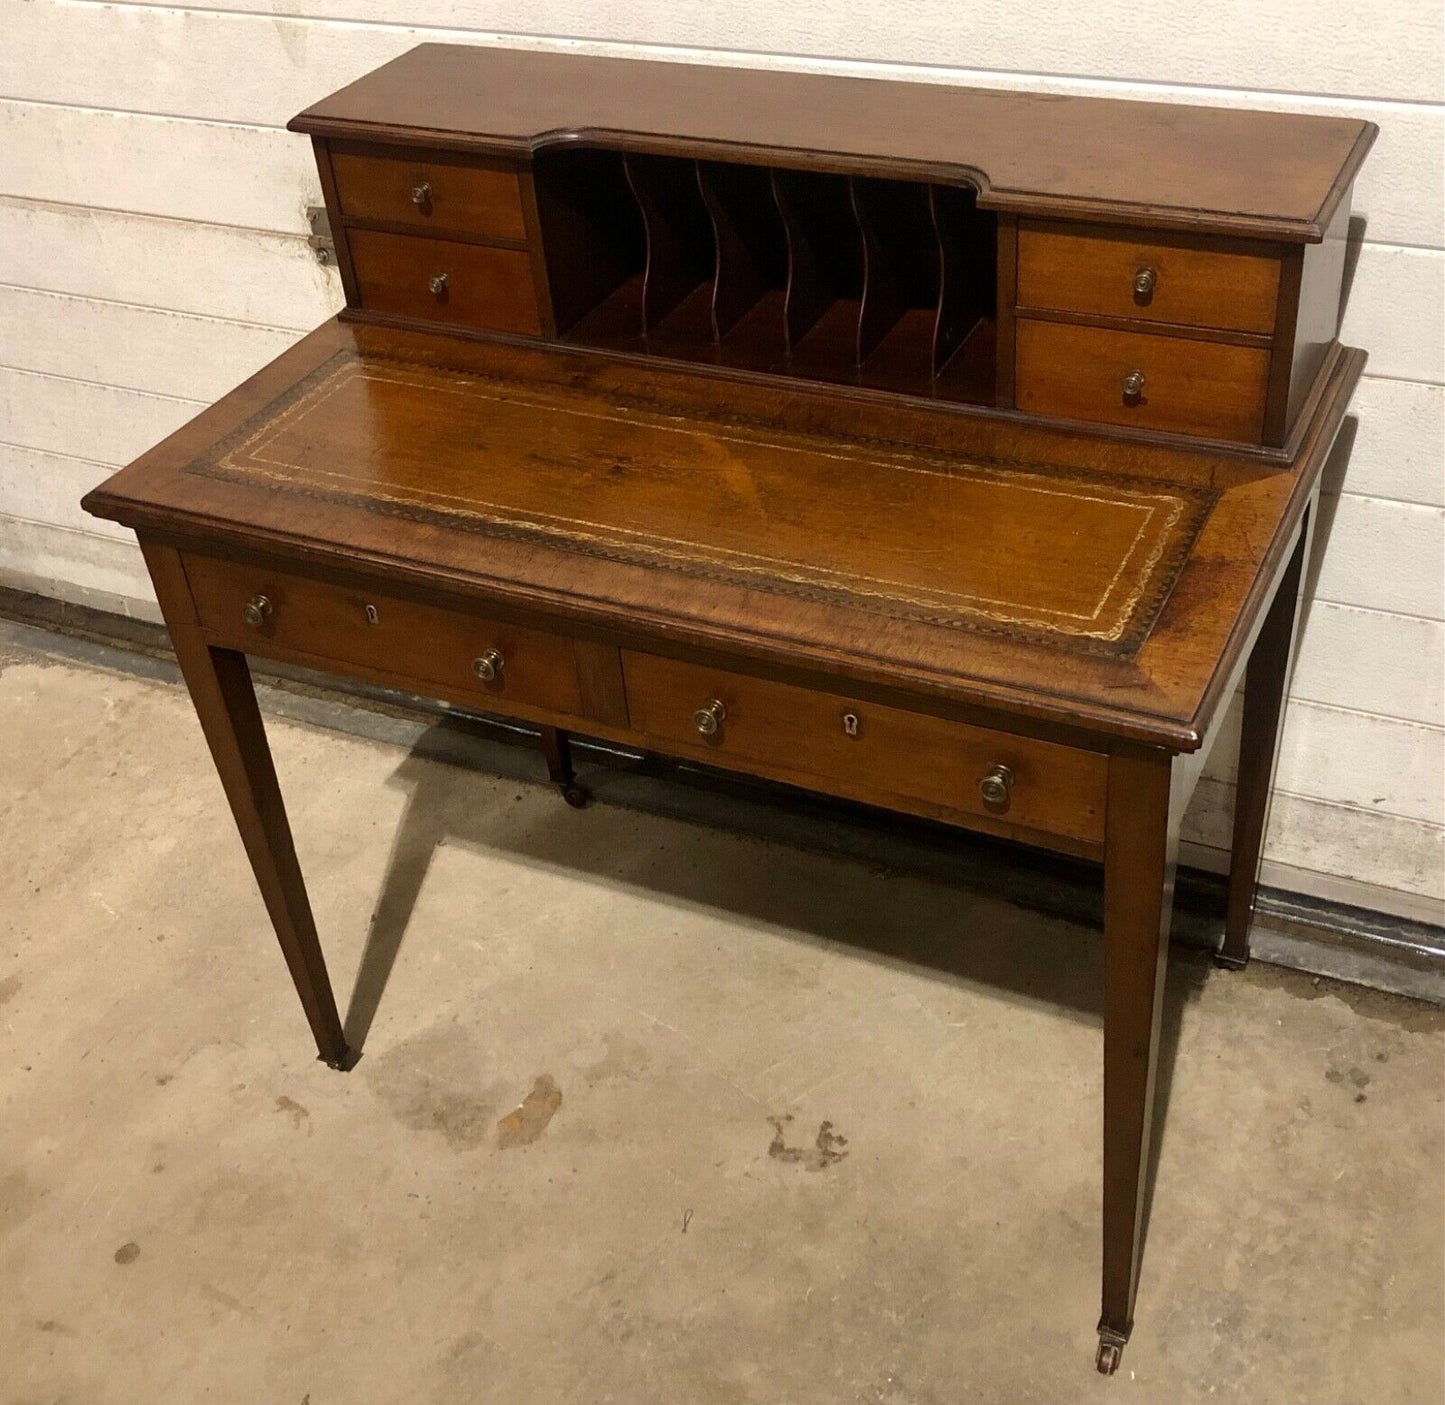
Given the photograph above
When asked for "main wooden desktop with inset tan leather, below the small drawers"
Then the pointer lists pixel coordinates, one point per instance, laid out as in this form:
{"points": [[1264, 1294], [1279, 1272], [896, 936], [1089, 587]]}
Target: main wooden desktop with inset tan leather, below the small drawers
{"points": [[993, 563]]}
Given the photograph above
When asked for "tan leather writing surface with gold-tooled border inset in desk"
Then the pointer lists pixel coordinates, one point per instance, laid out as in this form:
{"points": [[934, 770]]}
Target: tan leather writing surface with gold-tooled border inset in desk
{"points": [[1037, 551]]}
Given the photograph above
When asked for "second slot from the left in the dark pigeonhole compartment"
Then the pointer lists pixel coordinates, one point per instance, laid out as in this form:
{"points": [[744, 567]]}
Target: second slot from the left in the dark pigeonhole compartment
{"points": [[677, 297]]}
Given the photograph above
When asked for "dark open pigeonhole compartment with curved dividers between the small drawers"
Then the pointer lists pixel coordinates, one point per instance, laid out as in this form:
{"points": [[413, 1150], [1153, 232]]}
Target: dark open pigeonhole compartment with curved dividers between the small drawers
{"points": [[850, 280]]}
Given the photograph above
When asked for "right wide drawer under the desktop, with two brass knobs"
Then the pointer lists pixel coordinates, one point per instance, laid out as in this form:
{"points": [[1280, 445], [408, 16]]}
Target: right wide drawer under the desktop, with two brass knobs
{"points": [[869, 752]]}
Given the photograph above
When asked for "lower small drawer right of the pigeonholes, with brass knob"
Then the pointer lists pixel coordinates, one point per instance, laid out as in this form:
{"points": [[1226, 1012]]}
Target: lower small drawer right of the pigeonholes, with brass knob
{"points": [[1142, 379]]}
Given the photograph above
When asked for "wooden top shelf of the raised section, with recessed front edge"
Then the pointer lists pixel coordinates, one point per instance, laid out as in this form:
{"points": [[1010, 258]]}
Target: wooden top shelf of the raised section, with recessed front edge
{"points": [[1251, 173]]}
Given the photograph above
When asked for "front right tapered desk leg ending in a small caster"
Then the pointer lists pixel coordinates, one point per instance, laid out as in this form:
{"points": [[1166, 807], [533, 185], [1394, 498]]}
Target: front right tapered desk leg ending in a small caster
{"points": [[1139, 868]]}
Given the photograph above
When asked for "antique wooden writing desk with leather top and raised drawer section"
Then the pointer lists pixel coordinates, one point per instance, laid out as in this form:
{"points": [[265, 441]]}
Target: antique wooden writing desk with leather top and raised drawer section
{"points": [[950, 452]]}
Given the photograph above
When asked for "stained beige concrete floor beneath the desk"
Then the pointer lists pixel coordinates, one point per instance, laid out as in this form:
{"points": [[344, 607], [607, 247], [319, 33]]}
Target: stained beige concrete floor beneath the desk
{"points": [[647, 1112]]}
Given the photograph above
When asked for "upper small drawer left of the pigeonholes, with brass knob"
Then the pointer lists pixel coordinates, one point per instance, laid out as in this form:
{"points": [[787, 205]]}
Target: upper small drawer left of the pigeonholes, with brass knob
{"points": [[430, 192]]}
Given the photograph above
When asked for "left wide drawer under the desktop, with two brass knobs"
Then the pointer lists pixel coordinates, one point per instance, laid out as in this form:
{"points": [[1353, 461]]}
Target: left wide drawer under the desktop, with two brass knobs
{"points": [[261, 611]]}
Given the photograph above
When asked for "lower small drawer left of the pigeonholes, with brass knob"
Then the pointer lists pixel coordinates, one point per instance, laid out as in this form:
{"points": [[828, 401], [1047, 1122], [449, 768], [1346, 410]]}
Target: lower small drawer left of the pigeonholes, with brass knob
{"points": [[443, 281]]}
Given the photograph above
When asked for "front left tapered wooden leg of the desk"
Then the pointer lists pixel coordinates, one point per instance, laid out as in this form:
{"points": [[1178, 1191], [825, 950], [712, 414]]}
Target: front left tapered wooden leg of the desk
{"points": [[220, 684]]}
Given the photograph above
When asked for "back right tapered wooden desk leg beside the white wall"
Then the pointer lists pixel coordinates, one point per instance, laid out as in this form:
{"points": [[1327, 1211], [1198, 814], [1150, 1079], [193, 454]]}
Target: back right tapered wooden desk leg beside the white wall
{"points": [[1267, 682]]}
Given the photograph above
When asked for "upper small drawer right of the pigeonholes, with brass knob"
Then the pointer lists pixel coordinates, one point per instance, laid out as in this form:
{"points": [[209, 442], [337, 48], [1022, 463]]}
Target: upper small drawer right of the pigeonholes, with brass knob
{"points": [[1160, 278]]}
